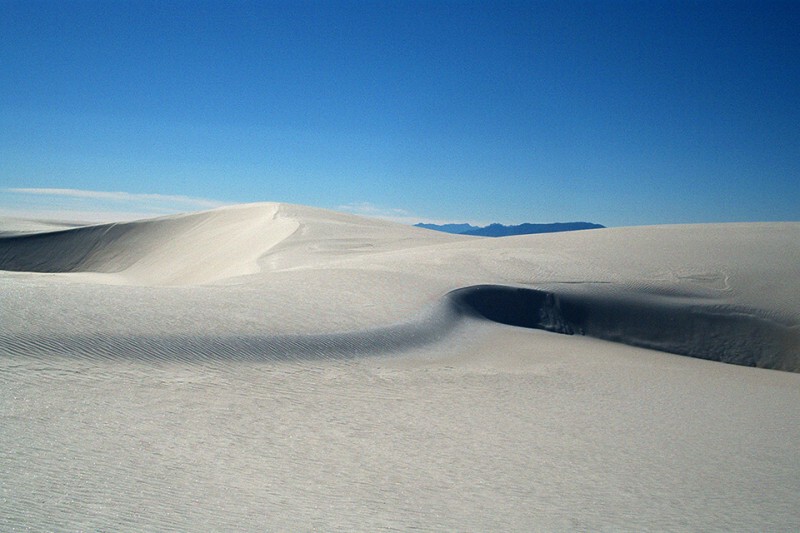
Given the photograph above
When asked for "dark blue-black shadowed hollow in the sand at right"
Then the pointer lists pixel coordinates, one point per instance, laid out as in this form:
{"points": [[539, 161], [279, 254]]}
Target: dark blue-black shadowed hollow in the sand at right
{"points": [[718, 333]]}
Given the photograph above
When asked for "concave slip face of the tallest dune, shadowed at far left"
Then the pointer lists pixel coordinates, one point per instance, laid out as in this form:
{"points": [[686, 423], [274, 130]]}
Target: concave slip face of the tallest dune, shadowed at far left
{"points": [[195, 248]]}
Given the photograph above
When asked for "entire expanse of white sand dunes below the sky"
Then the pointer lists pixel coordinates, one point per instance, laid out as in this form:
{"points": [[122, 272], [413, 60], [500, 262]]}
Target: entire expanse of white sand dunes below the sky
{"points": [[279, 367]]}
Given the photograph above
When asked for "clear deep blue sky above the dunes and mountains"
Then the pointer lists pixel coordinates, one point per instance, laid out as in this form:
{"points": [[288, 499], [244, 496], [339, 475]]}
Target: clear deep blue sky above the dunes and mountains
{"points": [[622, 113]]}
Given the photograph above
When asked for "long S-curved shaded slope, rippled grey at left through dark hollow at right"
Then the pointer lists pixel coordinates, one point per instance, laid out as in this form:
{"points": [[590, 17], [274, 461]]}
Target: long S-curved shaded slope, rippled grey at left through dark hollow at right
{"points": [[713, 332]]}
